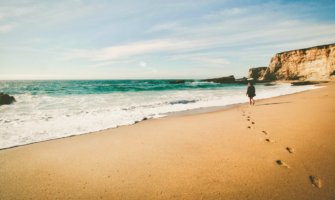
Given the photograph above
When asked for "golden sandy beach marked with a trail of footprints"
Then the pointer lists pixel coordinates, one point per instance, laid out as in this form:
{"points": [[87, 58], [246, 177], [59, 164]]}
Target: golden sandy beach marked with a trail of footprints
{"points": [[281, 148]]}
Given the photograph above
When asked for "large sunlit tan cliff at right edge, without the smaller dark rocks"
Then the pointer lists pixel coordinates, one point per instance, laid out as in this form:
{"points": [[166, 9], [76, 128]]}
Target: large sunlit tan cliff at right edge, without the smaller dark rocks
{"points": [[315, 63]]}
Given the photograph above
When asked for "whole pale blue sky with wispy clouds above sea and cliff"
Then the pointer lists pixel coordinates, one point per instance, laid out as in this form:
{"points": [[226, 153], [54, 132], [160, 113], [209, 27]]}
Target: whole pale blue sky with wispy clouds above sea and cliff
{"points": [[153, 39]]}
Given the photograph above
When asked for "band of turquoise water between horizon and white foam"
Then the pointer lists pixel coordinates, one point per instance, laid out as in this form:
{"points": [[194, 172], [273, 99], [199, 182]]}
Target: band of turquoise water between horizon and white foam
{"points": [[83, 87]]}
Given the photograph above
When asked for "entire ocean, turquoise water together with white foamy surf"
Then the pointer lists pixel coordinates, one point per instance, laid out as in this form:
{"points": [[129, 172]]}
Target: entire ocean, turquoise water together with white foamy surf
{"points": [[54, 109]]}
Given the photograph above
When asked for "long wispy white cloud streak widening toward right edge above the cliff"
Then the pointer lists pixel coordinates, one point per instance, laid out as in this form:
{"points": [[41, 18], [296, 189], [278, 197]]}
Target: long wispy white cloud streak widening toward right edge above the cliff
{"points": [[246, 33]]}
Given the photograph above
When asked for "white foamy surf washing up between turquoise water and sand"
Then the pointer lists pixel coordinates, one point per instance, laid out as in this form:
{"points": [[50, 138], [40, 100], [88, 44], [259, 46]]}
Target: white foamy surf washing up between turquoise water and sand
{"points": [[35, 118]]}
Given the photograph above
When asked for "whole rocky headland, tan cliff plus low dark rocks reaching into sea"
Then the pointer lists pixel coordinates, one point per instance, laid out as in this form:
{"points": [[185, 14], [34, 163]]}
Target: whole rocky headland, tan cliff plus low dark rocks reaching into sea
{"points": [[311, 65]]}
